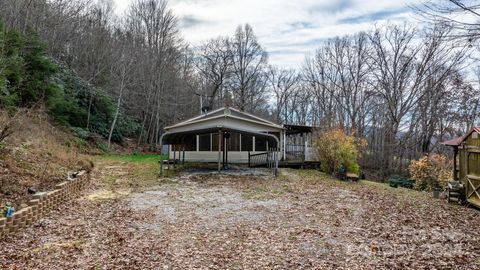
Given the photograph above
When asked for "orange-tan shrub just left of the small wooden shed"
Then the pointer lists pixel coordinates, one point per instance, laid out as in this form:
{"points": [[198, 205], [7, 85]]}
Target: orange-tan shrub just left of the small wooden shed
{"points": [[431, 171]]}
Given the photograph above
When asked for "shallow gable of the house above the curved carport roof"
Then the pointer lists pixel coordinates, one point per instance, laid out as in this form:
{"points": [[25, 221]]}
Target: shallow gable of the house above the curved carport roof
{"points": [[226, 112]]}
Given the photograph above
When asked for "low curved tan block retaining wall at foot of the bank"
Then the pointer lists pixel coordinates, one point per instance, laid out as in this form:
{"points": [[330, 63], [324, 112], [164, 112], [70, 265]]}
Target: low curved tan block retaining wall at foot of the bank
{"points": [[42, 203]]}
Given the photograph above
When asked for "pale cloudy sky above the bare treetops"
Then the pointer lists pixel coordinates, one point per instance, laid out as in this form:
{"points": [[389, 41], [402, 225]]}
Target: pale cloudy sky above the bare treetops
{"points": [[287, 29]]}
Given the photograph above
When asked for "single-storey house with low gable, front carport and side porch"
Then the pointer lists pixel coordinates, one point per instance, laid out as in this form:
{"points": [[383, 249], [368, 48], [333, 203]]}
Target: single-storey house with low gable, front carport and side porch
{"points": [[228, 135]]}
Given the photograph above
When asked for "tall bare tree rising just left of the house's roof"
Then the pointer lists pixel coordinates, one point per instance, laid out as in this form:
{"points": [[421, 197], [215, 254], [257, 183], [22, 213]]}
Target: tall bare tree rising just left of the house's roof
{"points": [[155, 28]]}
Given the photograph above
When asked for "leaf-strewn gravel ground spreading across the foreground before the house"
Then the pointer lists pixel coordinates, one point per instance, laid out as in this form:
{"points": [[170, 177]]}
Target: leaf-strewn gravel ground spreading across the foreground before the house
{"points": [[130, 219]]}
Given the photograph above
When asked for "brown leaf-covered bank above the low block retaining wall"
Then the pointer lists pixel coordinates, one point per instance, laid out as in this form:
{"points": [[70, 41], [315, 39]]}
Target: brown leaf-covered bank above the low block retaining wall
{"points": [[36, 155]]}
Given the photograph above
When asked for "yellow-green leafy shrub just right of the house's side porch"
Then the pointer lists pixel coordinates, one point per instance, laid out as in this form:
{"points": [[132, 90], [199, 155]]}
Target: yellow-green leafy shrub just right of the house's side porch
{"points": [[335, 149]]}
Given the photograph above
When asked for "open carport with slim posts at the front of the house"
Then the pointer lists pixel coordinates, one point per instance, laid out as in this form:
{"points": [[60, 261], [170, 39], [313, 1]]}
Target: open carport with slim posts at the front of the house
{"points": [[222, 145]]}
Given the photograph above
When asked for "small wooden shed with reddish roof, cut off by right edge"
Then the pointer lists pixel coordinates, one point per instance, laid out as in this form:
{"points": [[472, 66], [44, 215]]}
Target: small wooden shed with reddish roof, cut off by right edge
{"points": [[466, 169]]}
